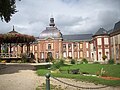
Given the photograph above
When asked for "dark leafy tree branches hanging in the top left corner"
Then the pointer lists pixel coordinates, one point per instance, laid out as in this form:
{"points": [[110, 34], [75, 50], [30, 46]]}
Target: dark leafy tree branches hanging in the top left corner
{"points": [[7, 9]]}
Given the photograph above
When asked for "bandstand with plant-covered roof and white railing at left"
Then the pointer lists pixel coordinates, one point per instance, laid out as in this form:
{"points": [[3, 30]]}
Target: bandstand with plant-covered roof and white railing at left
{"points": [[13, 38]]}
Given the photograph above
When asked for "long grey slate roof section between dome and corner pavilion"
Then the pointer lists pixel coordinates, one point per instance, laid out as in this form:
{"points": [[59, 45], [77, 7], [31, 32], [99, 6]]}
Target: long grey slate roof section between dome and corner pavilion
{"points": [[77, 37]]}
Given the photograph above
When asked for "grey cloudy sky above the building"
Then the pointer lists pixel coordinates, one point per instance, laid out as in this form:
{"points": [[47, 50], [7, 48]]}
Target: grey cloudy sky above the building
{"points": [[71, 16]]}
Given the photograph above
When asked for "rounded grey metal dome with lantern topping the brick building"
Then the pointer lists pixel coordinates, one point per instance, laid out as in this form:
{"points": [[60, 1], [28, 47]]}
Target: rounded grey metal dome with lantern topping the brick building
{"points": [[51, 31]]}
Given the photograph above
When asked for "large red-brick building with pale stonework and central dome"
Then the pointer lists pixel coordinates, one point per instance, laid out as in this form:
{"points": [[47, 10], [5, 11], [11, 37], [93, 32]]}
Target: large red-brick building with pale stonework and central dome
{"points": [[51, 42]]}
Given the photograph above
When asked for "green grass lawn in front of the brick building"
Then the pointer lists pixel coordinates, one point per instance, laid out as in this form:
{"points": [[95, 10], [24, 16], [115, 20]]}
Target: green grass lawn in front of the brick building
{"points": [[111, 70]]}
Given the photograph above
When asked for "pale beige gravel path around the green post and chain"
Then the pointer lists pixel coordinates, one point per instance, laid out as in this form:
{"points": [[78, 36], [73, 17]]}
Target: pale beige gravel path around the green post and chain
{"points": [[23, 77]]}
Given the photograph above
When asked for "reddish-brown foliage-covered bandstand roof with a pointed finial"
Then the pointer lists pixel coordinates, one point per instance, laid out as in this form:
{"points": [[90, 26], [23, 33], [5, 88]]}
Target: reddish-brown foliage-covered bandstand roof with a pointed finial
{"points": [[15, 37]]}
